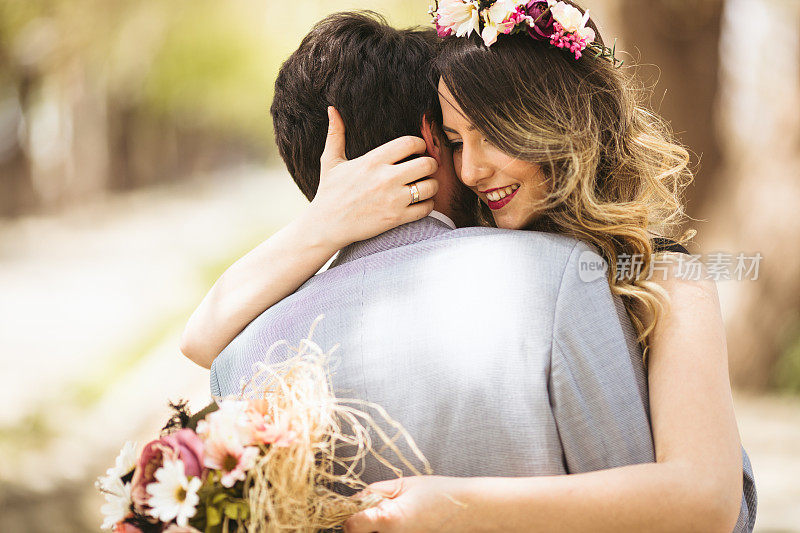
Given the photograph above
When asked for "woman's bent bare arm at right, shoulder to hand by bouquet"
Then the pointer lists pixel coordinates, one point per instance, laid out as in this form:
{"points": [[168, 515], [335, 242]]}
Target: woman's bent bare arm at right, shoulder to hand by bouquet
{"points": [[695, 485]]}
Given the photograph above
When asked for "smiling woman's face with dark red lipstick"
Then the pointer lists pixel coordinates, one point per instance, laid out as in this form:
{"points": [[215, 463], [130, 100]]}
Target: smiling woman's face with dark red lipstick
{"points": [[509, 186]]}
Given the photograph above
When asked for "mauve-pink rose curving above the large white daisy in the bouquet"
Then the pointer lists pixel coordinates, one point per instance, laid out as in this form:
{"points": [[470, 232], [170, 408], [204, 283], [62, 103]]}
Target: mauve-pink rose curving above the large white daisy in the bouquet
{"points": [[184, 445]]}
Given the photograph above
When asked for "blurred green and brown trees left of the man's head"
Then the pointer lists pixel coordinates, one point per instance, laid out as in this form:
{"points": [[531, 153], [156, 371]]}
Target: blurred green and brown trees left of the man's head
{"points": [[98, 96]]}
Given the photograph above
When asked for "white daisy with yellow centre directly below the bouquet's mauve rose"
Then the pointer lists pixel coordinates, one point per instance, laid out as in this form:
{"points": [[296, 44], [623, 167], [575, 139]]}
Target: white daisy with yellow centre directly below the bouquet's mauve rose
{"points": [[173, 496]]}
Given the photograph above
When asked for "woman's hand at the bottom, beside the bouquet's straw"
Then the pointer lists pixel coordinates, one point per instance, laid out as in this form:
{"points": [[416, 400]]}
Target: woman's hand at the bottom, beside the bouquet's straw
{"points": [[420, 504]]}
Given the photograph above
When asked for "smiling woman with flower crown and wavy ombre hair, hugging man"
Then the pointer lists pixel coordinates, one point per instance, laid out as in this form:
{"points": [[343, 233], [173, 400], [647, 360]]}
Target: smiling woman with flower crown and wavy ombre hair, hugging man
{"points": [[549, 136]]}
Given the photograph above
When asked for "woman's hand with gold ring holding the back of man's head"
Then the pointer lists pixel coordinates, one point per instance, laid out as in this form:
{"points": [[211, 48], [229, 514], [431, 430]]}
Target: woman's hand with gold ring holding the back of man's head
{"points": [[364, 197]]}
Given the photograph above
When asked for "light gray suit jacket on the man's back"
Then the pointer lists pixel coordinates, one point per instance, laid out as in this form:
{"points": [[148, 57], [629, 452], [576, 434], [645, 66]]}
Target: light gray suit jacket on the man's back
{"points": [[485, 344]]}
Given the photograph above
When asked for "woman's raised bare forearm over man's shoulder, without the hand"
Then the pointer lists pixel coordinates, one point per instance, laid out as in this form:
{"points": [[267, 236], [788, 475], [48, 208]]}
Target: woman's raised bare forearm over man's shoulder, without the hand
{"points": [[258, 280]]}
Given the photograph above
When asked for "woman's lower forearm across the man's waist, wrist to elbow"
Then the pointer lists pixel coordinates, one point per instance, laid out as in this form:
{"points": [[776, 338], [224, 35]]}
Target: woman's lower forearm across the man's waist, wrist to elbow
{"points": [[650, 497]]}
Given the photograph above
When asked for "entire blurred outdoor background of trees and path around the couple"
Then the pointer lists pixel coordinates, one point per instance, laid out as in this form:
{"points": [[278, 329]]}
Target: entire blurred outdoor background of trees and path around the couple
{"points": [[137, 163]]}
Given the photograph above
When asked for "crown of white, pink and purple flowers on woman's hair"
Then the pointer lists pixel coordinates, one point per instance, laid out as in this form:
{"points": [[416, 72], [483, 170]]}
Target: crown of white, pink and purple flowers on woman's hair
{"points": [[559, 23]]}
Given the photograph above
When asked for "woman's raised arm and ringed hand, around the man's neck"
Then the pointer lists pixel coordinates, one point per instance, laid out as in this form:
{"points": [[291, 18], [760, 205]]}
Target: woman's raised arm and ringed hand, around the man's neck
{"points": [[355, 200]]}
